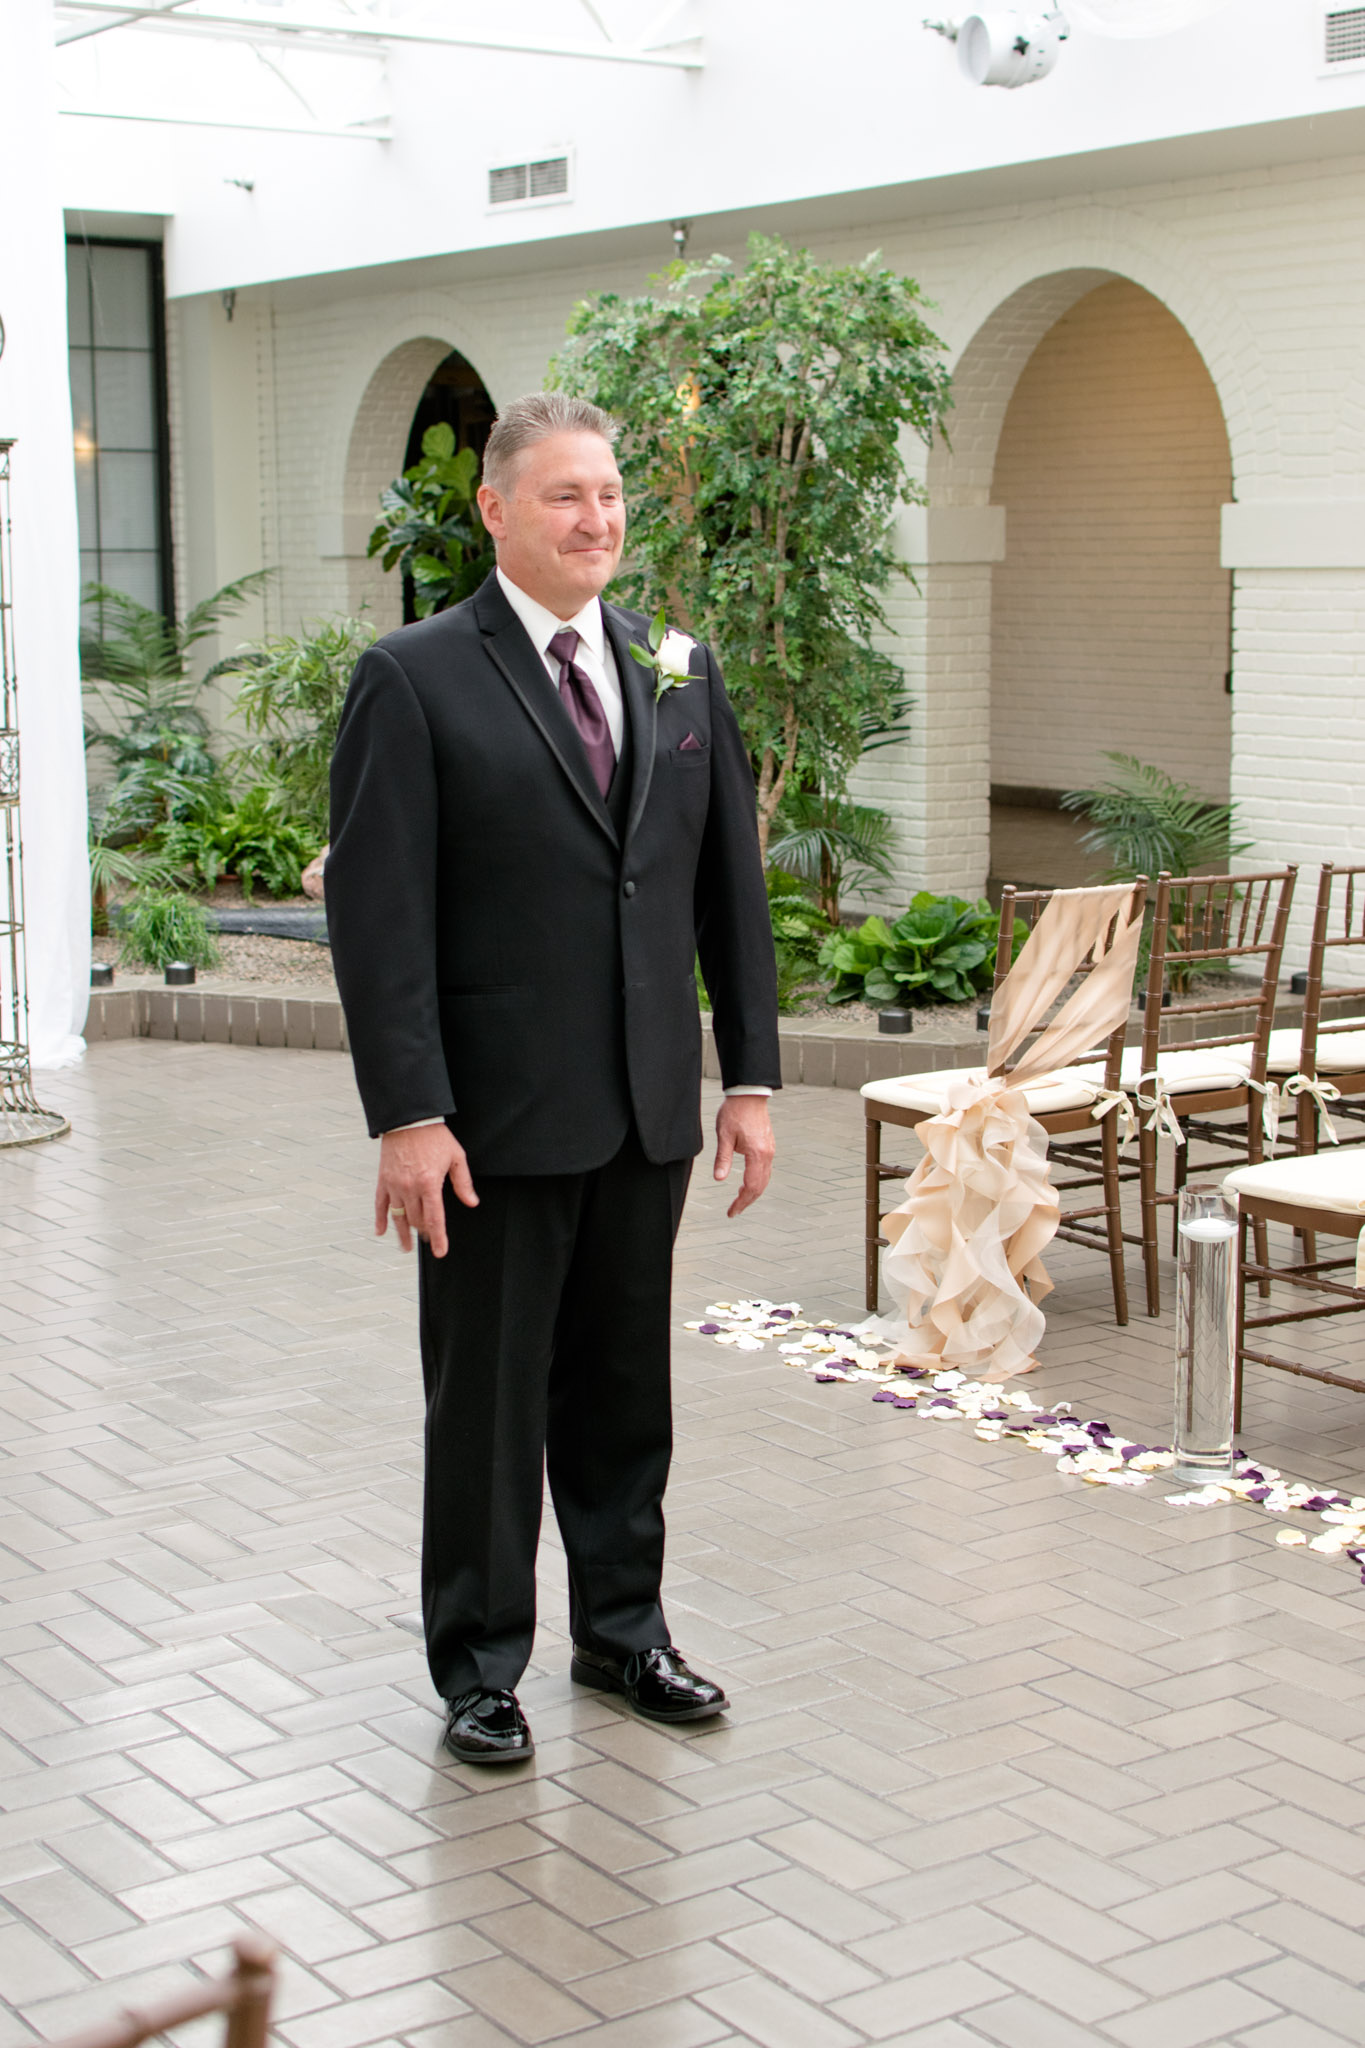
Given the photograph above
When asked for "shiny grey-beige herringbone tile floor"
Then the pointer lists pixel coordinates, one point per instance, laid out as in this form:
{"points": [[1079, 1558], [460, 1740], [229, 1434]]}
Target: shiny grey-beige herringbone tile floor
{"points": [[1012, 1760]]}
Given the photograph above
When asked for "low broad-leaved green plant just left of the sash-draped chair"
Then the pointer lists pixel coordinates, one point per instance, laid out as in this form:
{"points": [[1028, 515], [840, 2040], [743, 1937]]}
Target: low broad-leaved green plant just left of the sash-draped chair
{"points": [[942, 951]]}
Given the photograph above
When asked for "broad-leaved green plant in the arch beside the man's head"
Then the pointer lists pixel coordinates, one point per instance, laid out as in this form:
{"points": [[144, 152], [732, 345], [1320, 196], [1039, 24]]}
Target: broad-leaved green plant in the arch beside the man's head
{"points": [[431, 525]]}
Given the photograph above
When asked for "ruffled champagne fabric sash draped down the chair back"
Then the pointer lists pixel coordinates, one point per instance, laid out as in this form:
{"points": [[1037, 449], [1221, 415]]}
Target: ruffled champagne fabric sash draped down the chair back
{"points": [[965, 1265]]}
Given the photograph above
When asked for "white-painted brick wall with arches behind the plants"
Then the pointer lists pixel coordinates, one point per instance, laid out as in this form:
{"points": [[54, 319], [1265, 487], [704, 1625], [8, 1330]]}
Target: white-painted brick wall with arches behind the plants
{"points": [[1264, 269]]}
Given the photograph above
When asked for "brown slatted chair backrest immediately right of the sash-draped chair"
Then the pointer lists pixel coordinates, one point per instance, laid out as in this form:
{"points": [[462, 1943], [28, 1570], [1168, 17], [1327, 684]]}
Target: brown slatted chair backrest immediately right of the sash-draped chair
{"points": [[1208, 923]]}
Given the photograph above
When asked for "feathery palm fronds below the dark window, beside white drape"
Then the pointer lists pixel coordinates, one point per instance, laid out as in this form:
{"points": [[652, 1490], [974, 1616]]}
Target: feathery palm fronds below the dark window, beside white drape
{"points": [[136, 667]]}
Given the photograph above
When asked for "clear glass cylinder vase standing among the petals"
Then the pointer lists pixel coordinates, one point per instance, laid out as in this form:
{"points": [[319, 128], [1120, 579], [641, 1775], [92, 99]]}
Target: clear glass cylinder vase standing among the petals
{"points": [[1204, 1334]]}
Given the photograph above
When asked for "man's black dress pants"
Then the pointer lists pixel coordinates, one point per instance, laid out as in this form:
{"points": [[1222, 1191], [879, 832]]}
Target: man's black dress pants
{"points": [[545, 1345]]}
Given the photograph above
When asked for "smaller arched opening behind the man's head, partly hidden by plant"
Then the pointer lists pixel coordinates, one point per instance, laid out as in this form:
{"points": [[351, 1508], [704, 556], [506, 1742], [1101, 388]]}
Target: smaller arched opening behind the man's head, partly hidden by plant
{"points": [[419, 384]]}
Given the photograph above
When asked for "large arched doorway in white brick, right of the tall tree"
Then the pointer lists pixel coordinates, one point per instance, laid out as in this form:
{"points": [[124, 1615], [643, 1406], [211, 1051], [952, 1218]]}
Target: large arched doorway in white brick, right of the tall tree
{"points": [[1110, 613]]}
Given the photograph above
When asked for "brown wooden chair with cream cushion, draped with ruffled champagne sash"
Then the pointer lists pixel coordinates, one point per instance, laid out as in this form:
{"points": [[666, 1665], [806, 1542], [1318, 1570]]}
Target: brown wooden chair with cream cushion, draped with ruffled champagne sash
{"points": [[1084, 1144]]}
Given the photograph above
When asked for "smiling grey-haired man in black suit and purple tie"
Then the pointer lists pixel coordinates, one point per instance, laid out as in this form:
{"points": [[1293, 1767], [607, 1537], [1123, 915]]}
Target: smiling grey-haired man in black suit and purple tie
{"points": [[531, 841]]}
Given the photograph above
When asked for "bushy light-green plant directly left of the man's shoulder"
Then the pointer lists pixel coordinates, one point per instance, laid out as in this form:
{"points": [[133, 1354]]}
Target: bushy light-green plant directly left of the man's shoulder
{"points": [[292, 701]]}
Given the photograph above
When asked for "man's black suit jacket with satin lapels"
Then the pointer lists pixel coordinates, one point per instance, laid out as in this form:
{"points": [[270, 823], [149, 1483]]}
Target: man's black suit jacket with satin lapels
{"points": [[507, 957]]}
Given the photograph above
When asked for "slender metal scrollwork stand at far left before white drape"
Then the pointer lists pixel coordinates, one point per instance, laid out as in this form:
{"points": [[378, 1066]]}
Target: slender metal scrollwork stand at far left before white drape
{"points": [[21, 1117]]}
